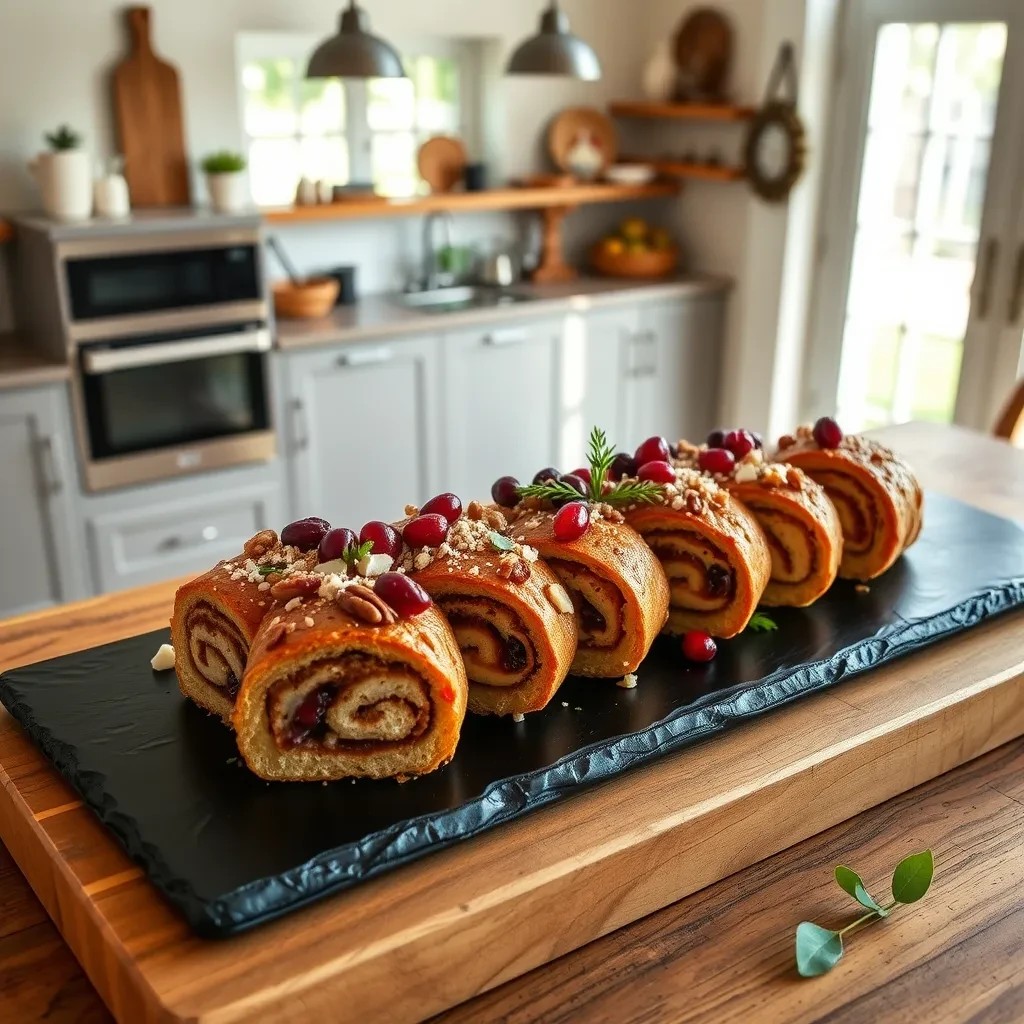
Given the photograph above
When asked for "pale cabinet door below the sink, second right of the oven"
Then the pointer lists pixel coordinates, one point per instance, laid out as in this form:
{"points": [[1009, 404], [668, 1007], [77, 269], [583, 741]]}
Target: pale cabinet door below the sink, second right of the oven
{"points": [[500, 401]]}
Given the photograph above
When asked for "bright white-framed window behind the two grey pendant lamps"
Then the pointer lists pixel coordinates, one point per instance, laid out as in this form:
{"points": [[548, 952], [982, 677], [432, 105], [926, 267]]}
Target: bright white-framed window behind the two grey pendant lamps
{"points": [[346, 132]]}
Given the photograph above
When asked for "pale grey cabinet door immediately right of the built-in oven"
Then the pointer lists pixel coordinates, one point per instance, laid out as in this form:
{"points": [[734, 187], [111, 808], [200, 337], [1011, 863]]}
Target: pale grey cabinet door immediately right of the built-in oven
{"points": [[362, 430]]}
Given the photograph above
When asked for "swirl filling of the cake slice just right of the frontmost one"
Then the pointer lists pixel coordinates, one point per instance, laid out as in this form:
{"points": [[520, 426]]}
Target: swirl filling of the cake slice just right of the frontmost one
{"points": [[495, 645]]}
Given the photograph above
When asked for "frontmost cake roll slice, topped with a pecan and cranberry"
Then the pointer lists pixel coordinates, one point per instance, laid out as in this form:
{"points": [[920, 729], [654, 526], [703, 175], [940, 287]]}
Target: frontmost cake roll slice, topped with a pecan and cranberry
{"points": [[360, 679]]}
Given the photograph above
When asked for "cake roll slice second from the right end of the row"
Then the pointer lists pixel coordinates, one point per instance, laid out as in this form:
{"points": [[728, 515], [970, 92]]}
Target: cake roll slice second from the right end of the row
{"points": [[800, 524]]}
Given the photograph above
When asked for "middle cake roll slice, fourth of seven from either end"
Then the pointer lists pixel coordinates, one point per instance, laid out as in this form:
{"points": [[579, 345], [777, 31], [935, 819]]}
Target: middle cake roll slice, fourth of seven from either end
{"points": [[618, 587]]}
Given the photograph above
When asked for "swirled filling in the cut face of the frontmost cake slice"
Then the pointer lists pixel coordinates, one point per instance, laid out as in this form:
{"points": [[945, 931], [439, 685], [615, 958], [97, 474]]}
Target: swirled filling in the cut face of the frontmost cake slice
{"points": [[355, 703]]}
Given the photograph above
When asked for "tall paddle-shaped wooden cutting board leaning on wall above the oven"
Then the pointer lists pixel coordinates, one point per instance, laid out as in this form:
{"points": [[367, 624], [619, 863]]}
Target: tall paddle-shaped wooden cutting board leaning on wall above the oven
{"points": [[151, 134]]}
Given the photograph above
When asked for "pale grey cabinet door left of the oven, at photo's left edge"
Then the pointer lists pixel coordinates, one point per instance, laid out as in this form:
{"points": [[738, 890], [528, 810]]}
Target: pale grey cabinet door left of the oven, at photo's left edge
{"points": [[40, 563]]}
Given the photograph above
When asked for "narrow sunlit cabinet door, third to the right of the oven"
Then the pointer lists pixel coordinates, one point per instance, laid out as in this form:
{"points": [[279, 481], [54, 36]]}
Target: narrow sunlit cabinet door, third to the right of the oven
{"points": [[596, 352]]}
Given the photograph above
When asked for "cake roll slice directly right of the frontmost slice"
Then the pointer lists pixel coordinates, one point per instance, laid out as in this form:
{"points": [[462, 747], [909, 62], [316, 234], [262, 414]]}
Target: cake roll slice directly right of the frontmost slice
{"points": [[513, 619]]}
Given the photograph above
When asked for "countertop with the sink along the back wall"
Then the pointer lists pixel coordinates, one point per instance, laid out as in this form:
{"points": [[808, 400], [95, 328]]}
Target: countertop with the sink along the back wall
{"points": [[385, 316]]}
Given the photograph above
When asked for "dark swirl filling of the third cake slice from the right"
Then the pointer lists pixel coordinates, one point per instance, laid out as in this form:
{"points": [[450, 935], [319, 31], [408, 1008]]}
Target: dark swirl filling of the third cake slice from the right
{"points": [[701, 579]]}
